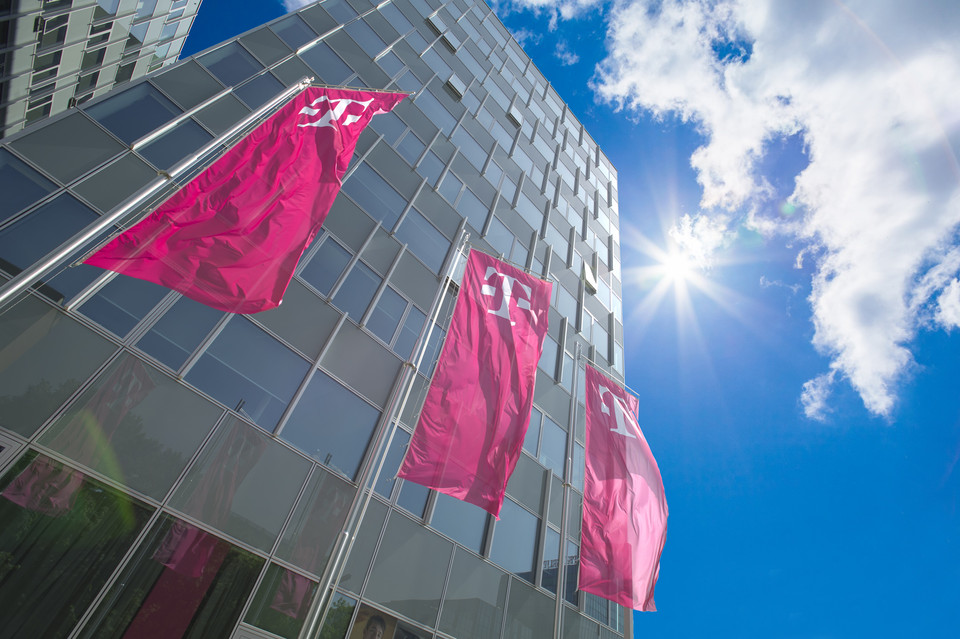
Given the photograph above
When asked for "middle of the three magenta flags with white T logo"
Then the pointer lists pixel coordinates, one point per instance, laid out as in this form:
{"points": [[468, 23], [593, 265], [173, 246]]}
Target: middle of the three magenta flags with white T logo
{"points": [[471, 428]]}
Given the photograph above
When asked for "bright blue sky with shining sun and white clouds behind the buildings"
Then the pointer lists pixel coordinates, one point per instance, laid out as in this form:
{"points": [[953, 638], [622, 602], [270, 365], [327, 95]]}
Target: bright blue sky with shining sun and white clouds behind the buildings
{"points": [[798, 378]]}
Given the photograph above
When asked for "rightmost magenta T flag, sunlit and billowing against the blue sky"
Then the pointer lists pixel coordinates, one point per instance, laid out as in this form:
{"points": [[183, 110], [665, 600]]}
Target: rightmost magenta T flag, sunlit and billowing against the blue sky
{"points": [[624, 508]]}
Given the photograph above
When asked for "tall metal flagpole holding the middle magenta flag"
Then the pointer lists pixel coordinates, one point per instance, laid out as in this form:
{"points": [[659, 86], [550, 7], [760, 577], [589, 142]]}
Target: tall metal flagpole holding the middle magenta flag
{"points": [[371, 473]]}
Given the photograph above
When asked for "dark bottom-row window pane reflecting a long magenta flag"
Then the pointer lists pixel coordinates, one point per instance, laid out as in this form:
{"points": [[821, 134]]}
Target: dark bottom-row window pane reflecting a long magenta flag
{"points": [[182, 582]]}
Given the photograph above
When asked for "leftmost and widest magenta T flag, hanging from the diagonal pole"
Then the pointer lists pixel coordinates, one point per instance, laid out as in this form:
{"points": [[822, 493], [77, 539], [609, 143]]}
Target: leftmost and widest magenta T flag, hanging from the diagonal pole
{"points": [[232, 237]]}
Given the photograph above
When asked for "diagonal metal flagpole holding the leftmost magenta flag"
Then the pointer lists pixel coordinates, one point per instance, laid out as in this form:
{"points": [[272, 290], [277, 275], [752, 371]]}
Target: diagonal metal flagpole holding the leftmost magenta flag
{"points": [[59, 255]]}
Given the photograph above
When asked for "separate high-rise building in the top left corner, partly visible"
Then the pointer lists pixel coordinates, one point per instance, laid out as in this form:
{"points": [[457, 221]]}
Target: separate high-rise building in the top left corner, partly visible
{"points": [[55, 54]]}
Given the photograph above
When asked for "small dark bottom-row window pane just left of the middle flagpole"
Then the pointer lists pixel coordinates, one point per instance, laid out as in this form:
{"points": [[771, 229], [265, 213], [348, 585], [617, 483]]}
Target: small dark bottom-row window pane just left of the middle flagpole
{"points": [[282, 602]]}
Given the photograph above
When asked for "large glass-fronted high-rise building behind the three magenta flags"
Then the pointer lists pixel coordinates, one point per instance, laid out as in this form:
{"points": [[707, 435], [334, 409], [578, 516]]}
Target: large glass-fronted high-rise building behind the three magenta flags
{"points": [[167, 469]]}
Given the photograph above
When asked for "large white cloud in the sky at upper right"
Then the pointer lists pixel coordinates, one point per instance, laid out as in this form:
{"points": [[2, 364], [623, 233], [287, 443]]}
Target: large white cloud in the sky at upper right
{"points": [[873, 89]]}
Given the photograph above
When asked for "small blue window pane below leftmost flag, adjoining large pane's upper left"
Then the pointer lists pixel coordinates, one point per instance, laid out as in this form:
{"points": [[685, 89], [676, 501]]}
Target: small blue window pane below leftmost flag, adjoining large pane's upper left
{"points": [[178, 333]]}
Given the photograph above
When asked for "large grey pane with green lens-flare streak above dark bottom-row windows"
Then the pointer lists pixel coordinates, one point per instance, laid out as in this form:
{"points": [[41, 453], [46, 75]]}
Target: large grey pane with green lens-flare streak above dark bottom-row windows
{"points": [[134, 425]]}
